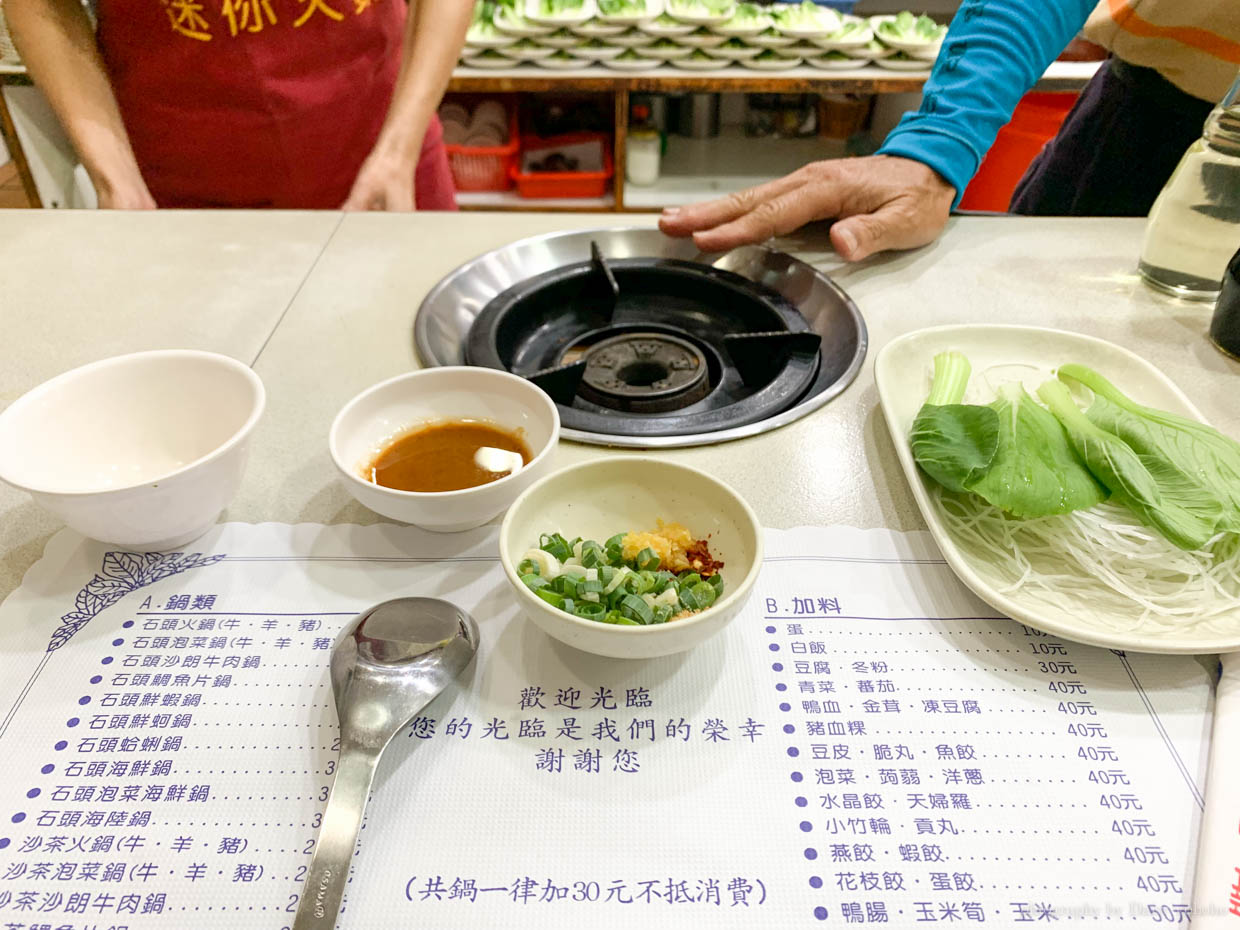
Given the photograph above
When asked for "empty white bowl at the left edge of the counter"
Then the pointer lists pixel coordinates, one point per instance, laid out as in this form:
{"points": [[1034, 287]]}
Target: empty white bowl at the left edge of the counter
{"points": [[142, 451]]}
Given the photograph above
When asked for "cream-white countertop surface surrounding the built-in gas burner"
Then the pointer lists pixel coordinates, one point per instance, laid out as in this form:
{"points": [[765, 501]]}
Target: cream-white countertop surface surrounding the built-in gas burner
{"points": [[323, 306]]}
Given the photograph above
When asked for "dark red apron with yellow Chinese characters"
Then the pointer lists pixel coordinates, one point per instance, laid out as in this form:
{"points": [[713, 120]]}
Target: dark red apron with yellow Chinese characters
{"points": [[260, 104]]}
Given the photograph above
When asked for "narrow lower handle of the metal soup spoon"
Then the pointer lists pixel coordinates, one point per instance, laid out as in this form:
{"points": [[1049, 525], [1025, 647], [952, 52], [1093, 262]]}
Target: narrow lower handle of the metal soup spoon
{"points": [[338, 838]]}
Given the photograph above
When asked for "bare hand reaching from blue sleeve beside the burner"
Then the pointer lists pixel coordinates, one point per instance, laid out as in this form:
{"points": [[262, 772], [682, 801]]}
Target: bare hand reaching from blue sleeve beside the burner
{"points": [[879, 203]]}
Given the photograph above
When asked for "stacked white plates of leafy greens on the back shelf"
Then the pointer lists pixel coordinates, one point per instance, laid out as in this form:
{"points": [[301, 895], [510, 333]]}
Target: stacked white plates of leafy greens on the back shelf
{"points": [[696, 35]]}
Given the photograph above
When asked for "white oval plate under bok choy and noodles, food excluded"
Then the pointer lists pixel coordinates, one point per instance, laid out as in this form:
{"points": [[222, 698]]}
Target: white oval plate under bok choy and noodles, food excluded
{"points": [[1031, 355]]}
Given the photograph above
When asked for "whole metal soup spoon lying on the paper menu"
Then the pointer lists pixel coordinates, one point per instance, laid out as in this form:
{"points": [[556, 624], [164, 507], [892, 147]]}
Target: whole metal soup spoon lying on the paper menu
{"points": [[386, 668]]}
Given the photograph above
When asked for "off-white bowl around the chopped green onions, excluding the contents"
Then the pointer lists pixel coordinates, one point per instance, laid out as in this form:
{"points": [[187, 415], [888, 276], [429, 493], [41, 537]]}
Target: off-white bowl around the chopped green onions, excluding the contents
{"points": [[600, 499]]}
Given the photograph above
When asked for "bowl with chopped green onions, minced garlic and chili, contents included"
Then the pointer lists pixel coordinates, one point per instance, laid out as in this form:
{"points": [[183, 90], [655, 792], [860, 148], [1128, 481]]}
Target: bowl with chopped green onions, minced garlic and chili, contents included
{"points": [[632, 557]]}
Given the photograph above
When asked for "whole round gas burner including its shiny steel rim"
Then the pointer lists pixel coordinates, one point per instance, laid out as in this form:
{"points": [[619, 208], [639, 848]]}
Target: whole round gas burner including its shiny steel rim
{"points": [[643, 343]]}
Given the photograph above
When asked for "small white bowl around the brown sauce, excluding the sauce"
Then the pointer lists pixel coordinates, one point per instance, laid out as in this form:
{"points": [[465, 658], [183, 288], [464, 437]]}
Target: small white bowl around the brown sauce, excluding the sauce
{"points": [[389, 410]]}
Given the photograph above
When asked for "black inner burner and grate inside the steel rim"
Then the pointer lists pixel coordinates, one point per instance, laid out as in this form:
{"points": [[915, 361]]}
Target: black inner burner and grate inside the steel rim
{"points": [[652, 348]]}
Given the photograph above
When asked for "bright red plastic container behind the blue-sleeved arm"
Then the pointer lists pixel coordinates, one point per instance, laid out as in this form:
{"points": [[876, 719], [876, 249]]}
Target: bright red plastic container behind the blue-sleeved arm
{"points": [[1035, 122]]}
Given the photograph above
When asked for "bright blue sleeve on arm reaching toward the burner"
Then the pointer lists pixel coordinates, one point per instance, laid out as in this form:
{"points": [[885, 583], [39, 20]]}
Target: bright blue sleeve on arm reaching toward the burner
{"points": [[995, 51]]}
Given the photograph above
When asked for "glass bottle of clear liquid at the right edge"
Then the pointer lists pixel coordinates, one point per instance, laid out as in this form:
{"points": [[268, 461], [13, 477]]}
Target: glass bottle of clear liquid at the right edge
{"points": [[1195, 225]]}
